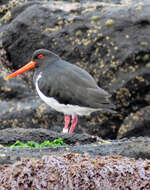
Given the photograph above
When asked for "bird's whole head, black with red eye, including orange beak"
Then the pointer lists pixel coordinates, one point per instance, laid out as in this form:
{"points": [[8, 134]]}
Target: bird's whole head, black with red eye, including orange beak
{"points": [[38, 58]]}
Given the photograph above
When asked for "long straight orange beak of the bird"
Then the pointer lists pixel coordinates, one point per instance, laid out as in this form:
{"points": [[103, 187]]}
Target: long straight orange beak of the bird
{"points": [[28, 66]]}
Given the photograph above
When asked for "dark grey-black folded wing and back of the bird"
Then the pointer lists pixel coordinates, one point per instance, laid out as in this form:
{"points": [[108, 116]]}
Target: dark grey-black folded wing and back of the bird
{"points": [[69, 84]]}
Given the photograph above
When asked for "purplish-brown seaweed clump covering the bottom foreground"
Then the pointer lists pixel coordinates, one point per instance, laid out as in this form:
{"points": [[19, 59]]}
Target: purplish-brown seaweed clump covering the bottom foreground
{"points": [[74, 171]]}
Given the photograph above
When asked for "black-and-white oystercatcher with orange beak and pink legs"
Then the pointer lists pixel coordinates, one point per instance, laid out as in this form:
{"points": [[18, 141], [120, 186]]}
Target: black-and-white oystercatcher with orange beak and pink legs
{"points": [[66, 87]]}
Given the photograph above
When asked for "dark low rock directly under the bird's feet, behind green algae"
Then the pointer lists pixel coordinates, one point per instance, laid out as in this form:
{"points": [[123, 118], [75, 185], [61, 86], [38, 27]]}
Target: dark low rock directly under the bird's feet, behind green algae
{"points": [[10, 136]]}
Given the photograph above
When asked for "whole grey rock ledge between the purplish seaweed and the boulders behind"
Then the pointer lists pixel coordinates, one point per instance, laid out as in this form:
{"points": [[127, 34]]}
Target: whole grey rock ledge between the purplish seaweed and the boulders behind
{"points": [[76, 143]]}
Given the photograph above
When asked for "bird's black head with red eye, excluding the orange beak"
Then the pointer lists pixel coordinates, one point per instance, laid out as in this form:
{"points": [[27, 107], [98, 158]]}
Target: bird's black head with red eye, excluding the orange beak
{"points": [[42, 56]]}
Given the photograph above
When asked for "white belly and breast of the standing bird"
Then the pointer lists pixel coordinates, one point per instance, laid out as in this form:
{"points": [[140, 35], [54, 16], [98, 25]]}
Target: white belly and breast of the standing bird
{"points": [[66, 109]]}
